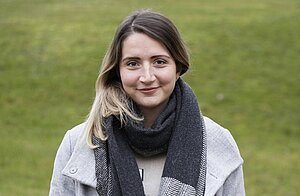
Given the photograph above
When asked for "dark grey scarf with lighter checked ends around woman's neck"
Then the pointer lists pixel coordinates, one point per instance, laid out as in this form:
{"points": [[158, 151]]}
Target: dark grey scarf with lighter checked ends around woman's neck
{"points": [[179, 131]]}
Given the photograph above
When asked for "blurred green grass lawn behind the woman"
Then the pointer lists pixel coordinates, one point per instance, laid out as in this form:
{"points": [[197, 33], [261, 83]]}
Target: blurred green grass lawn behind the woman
{"points": [[245, 71]]}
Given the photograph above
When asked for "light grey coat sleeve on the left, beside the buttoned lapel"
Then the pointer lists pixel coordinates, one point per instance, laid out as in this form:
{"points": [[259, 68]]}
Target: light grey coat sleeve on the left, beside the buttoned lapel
{"points": [[62, 185]]}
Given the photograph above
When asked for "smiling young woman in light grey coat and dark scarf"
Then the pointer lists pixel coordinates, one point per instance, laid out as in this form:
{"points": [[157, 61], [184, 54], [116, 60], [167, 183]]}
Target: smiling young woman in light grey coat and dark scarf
{"points": [[145, 134]]}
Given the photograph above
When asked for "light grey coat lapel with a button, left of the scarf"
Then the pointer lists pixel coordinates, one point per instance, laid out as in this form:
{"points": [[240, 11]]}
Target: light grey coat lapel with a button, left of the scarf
{"points": [[81, 165]]}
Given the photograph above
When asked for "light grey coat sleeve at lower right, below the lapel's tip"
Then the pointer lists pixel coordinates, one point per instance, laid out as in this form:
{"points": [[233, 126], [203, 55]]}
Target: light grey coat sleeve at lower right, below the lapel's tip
{"points": [[234, 184]]}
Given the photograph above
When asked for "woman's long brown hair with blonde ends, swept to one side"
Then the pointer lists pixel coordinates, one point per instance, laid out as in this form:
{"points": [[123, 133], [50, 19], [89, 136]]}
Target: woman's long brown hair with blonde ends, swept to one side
{"points": [[110, 98]]}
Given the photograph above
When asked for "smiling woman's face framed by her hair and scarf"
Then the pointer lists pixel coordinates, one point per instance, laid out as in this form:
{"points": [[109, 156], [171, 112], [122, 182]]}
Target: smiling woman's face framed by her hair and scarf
{"points": [[148, 71]]}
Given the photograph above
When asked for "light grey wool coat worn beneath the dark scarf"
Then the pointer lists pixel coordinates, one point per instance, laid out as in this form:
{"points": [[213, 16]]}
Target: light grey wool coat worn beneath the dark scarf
{"points": [[74, 166]]}
